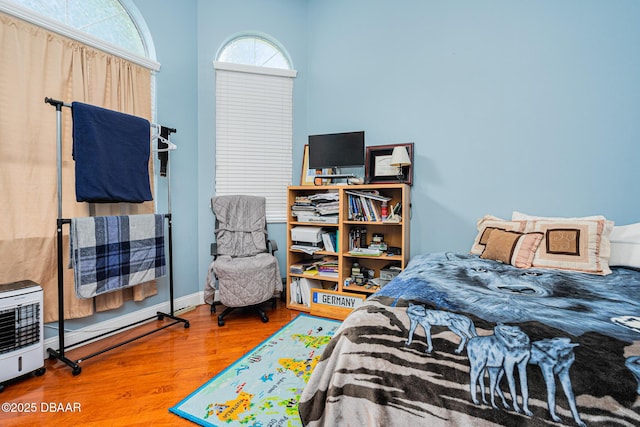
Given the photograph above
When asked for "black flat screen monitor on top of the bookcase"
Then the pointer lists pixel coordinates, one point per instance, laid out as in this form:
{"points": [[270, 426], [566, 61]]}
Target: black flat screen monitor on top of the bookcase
{"points": [[336, 150]]}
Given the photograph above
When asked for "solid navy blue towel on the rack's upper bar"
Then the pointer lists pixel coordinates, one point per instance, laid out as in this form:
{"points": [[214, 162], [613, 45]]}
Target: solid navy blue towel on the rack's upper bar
{"points": [[111, 152]]}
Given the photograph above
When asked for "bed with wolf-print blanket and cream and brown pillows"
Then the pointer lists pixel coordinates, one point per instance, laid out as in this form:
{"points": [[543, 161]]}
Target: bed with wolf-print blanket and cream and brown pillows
{"points": [[455, 336]]}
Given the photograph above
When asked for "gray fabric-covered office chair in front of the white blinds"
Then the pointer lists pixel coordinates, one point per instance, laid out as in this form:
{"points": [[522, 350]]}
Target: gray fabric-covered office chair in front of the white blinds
{"points": [[244, 265]]}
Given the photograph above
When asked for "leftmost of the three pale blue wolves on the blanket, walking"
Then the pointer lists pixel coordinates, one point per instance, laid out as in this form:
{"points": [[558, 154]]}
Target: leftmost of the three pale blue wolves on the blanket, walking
{"points": [[459, 324]]}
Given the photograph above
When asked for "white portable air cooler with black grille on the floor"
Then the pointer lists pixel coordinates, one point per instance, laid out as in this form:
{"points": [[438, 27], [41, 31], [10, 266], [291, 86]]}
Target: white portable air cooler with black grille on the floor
{"points": [[21, 335]]}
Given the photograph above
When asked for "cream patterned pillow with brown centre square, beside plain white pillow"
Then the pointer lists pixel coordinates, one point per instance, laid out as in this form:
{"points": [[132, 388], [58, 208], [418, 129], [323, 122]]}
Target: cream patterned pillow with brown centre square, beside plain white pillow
{"points": [[573, 244]]}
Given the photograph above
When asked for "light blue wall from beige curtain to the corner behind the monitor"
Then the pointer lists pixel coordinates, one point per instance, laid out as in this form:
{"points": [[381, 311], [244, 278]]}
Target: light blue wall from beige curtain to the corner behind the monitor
{"points": [[187, 37]]}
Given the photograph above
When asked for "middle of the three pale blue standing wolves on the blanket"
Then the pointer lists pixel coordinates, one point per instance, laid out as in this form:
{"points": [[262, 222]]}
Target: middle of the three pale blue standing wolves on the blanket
{"points": [[504, 351]]}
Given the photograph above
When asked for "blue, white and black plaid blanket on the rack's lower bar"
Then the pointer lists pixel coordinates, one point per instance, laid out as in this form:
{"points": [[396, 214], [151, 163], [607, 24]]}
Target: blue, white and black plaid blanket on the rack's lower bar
{"points": [[114, 252]]}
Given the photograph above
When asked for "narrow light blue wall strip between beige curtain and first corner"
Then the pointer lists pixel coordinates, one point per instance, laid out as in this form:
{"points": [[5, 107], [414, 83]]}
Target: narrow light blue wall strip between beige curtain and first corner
{"points": [[176, 40]]}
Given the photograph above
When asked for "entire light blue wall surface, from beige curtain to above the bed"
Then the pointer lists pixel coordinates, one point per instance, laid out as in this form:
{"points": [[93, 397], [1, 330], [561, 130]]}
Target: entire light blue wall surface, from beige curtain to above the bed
{"points": [[511, 104]]}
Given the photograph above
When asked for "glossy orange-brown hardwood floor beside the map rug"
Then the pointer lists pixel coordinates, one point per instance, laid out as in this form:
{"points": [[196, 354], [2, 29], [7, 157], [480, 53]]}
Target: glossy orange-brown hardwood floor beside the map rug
{"points": [[135, 385]]}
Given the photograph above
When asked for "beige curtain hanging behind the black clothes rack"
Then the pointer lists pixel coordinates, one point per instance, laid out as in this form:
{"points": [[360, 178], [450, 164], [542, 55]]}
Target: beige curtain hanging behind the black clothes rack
{"points": [[34, 64]]}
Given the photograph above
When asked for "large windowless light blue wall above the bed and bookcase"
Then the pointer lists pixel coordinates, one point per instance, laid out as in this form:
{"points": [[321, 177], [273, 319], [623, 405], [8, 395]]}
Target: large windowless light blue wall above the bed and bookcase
{"points": [[512, 105]]}
